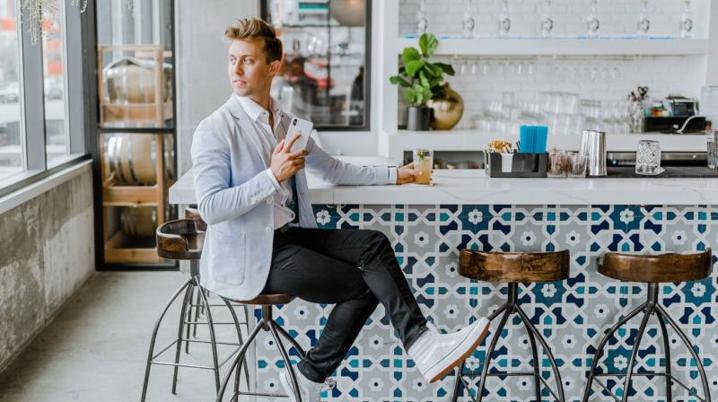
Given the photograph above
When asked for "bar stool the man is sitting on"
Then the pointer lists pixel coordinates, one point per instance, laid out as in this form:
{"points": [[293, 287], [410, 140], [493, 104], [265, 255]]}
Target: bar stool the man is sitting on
{"points": [[266, 323]]}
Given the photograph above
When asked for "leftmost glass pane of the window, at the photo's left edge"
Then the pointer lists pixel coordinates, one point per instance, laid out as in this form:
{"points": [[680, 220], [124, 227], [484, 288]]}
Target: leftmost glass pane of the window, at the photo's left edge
{"points": [[11, 137]]}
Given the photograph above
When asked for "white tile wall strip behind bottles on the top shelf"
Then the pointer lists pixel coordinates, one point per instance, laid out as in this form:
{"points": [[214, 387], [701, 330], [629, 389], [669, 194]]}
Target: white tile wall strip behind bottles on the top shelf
{"points": [[617, 17]]}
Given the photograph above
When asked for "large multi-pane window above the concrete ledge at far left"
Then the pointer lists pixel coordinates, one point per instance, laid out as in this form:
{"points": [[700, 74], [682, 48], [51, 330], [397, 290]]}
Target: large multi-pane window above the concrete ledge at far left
{"points": [[43, 112]]}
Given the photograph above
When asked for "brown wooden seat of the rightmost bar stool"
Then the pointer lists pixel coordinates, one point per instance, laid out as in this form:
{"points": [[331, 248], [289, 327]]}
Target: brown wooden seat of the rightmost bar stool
{"points": [[661, 268]]}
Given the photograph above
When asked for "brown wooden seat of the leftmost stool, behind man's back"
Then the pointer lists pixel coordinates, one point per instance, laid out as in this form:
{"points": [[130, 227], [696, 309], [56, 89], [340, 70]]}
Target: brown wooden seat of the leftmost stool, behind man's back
{"points": [[180, 239]]}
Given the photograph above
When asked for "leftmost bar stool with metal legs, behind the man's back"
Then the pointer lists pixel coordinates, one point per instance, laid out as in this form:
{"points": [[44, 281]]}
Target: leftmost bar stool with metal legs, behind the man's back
{"points": [[183, 240]]}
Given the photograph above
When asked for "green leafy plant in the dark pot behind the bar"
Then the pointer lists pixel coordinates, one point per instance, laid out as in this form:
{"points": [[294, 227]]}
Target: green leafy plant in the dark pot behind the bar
{"points": [[421, 79]]}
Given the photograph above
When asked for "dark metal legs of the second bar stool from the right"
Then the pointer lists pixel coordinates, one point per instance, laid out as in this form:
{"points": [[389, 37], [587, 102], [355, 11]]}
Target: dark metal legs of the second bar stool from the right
{"points": [[512, 307]]}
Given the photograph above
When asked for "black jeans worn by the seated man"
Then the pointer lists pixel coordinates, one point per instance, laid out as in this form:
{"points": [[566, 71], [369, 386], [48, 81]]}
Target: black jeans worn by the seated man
{"points": [[356, 269]]}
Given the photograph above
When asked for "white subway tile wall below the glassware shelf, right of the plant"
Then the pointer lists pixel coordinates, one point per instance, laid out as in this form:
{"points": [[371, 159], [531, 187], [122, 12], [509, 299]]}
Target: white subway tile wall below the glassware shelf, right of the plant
{"points": [[483, 80]]}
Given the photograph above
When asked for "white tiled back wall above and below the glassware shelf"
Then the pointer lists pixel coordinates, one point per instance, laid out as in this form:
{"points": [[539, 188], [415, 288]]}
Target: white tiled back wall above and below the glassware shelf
{"points": [[482, 80]]}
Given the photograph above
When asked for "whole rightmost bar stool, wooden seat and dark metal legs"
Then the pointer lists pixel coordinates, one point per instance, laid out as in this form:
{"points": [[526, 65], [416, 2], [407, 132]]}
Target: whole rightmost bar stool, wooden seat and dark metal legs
{"points": [[652, 270]]}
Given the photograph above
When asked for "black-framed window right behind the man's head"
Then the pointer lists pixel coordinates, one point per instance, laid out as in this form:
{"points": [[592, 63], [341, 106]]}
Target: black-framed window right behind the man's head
{"points": [[325, 77]]}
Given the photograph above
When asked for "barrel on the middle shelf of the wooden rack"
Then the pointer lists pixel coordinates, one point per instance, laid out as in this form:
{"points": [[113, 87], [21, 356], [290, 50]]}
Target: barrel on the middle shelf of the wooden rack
{"points": [[132, 158]]}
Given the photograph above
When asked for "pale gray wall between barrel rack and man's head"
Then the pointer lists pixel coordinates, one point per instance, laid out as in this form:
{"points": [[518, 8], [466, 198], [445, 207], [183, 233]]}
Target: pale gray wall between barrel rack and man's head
{"points": [[201, 59]]}
